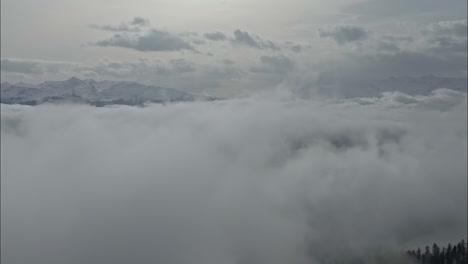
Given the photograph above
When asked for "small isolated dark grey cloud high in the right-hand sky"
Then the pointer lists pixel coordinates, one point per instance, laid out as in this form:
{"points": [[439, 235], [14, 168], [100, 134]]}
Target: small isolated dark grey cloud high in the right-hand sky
{"points": [[343, 34]]}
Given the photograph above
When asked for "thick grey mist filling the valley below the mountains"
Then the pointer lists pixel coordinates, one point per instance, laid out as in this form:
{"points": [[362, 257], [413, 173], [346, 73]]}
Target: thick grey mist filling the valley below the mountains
{"points": [[253, 180]]}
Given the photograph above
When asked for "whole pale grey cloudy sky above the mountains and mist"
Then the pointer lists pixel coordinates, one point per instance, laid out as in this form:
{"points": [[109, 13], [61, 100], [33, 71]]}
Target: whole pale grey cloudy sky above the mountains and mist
{"points": [[231, 47]]}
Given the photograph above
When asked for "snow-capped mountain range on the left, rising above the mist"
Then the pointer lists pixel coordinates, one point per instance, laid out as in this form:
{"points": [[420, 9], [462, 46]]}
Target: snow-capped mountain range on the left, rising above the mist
{"points": [[93, 92]]}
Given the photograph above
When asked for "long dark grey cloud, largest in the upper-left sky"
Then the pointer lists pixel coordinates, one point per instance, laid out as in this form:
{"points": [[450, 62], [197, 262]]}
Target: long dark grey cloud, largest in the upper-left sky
{"points": [[154, 40]]}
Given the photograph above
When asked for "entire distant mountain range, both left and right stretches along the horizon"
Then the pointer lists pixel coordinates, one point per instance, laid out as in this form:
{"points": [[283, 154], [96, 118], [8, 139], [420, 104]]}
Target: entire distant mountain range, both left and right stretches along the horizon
{"points": [[100, 93]]}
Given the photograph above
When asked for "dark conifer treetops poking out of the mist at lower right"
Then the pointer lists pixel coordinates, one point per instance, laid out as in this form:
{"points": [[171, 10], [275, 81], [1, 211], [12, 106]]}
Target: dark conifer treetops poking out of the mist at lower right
{"points": [[451, 254]]}
